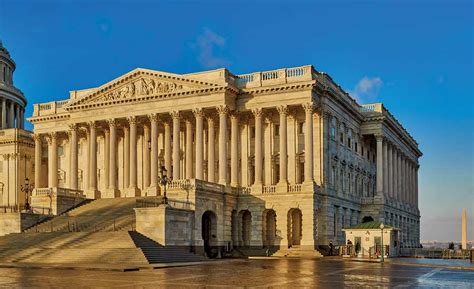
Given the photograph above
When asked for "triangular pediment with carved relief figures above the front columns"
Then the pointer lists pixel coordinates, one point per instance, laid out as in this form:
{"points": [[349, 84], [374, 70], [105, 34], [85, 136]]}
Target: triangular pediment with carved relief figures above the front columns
{"points": [[140, 83]]}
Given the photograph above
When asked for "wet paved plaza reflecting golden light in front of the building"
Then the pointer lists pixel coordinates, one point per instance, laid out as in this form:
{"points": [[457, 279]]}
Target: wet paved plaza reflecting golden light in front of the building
{"points": [[274, 273]]}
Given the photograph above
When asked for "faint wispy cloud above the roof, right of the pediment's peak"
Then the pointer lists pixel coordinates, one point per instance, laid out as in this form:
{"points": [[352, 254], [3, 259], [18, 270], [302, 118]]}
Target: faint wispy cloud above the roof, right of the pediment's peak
{"points": [[210, 47]]}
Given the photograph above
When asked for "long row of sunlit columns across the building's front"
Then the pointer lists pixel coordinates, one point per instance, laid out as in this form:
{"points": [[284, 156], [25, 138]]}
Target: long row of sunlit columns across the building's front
{"points": [[192, 157]]}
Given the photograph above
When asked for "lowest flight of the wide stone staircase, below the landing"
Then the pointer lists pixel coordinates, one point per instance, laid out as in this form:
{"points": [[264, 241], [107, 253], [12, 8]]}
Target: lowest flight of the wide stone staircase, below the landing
{"points": [[71, 248]]}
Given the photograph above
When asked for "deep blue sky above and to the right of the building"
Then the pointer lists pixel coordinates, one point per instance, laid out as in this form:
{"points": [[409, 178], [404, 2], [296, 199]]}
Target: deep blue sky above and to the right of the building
{"points": [[416, 58]]}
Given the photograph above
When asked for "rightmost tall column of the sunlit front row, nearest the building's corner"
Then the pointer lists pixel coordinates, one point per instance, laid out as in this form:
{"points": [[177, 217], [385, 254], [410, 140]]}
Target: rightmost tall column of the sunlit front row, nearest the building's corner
{"points": [[308, 143]]}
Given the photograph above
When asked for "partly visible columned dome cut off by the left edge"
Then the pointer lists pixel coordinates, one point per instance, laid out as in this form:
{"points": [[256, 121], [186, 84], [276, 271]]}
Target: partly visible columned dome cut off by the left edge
{"points": [[12, 100]]}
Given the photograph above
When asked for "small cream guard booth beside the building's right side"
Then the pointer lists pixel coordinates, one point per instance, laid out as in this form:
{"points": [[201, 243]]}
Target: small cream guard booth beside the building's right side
{"points": [[365, 240]]}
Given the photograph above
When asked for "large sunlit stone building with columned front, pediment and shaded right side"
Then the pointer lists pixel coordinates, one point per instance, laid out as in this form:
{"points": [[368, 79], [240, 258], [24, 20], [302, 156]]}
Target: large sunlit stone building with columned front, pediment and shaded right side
{"points": [[278, 158]]}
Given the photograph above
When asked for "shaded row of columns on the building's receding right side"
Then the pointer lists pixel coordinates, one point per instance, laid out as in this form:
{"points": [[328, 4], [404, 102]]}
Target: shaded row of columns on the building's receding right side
{"points": [[397, 173]]}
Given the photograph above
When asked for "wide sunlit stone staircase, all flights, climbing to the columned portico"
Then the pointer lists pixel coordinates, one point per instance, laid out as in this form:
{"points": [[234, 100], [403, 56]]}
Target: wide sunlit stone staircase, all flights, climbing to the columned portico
{"points": [[99, 232]]}
